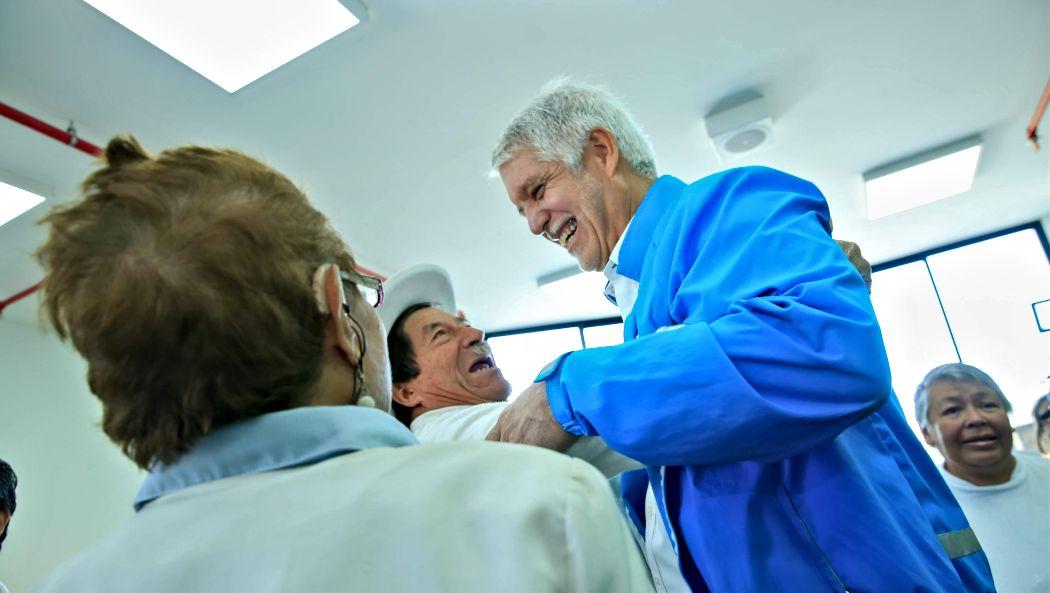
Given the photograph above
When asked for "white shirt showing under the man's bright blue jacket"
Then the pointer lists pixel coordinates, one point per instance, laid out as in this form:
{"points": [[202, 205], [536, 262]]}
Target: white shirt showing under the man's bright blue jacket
{"points": [[661, 557]]}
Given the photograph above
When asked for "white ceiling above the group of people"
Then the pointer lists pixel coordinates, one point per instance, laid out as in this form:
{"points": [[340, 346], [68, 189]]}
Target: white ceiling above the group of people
{"points": [[389, 126]]}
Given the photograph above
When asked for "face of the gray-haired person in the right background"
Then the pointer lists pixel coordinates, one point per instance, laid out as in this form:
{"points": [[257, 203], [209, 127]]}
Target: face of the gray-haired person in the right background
{"points": [[970, 426]]}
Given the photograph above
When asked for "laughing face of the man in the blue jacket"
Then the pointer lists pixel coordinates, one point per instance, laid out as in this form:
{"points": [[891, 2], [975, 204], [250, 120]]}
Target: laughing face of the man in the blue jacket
{"points": [[569, 209]]}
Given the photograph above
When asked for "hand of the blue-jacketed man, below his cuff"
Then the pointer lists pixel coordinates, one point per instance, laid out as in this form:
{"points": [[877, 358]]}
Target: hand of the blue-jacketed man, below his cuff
{"points": [[530, 421]]}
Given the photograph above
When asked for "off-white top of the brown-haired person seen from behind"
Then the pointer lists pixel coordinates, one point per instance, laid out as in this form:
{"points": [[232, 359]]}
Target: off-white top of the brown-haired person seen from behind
{"points": [[455, 517]]}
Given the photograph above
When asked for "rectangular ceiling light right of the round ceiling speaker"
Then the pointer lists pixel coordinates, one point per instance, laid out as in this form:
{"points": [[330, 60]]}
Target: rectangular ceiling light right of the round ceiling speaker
{"points": [[923, 179]]}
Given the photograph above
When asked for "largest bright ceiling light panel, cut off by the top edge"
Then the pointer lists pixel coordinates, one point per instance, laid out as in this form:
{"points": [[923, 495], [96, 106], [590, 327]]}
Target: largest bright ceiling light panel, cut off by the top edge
{"points": [[232, 43]]}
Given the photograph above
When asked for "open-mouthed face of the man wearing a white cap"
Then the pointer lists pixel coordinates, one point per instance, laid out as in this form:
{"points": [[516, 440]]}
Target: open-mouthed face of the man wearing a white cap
{"points": [[456, 366]]}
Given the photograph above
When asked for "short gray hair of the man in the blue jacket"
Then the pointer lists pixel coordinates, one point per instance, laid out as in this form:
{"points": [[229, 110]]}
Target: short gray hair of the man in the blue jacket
{"points": [[557, 123]]}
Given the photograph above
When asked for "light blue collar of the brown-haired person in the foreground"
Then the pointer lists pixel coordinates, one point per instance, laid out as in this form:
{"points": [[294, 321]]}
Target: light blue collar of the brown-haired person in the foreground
{"points": [[286, 439]]}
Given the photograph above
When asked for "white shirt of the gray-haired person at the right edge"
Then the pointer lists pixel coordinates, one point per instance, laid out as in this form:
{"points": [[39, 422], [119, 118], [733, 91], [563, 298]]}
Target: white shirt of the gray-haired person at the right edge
{"points": [[1013, 523]]}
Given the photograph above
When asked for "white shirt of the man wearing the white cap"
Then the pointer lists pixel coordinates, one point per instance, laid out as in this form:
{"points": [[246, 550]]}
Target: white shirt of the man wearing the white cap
{"points": [[474, 422]]}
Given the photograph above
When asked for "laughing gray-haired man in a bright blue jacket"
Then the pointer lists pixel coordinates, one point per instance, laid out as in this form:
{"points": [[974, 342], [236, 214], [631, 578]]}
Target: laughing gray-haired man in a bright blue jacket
{"points": [[753, 382]]}
